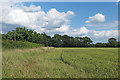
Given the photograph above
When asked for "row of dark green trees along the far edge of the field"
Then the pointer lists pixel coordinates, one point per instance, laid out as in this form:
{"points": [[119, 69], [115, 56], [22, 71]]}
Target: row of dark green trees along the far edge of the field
{"points": [[23, 34]]}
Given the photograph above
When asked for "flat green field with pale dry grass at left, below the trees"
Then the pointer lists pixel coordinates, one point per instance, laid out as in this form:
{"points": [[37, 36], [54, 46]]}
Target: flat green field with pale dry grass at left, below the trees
{"points": [[60, 63]]}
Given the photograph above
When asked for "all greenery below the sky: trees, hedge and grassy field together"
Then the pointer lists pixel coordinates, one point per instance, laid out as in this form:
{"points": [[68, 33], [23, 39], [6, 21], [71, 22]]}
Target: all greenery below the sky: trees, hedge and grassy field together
{"points": [[47, 62]]}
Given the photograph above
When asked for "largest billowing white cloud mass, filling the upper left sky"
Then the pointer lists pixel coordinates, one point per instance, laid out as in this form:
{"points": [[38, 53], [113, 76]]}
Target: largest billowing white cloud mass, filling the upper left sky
{"points": [[35, 18]]}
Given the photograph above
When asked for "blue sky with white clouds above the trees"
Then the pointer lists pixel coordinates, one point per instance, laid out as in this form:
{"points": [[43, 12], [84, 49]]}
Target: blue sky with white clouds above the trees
{"points": [[97, 20]]}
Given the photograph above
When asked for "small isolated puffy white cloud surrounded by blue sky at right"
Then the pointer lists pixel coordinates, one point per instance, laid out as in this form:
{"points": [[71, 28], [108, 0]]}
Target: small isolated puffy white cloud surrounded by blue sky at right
{"points": [[97, 18]]}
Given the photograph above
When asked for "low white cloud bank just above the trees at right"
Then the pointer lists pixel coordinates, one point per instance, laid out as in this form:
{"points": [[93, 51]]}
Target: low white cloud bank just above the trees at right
{"points": [[96, 36]]}
